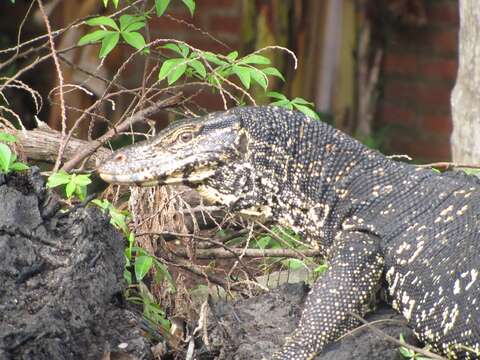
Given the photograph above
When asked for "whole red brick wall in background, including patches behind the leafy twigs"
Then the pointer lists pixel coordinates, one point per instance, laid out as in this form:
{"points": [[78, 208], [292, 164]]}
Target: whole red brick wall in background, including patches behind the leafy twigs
{"points": [[419, 71]]}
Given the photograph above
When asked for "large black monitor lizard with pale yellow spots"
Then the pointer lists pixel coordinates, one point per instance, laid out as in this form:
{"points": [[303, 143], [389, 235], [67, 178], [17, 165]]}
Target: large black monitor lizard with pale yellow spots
{"points": [[380, 223]]}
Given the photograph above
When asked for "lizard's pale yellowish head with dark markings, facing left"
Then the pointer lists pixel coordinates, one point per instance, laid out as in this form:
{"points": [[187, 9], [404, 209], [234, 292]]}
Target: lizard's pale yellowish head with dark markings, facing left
{"points": [[188, 151]]}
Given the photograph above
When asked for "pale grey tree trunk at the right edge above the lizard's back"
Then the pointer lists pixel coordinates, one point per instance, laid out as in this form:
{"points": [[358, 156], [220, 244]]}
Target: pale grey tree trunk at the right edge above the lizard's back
{"points": [[465, 98]]}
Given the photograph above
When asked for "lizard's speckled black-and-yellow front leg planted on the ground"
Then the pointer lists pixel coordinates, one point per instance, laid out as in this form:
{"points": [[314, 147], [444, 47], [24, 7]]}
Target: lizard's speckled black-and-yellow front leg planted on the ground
{"points": [[353, 276]]}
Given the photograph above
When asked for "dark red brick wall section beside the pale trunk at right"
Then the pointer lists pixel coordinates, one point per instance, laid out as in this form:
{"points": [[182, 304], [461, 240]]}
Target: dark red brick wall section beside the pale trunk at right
{"points": [[420, 68]]}
